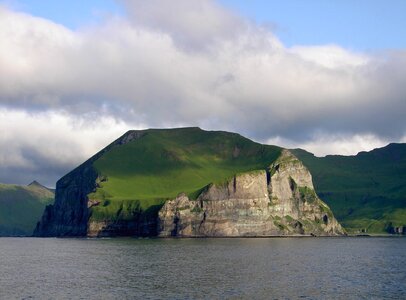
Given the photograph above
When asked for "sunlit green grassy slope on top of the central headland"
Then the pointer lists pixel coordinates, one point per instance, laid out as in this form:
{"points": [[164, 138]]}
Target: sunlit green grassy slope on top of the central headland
{"points": [[165, 162]]}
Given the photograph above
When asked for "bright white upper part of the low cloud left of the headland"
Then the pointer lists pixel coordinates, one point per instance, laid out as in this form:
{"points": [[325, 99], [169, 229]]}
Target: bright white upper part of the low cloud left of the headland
{"points": [[56, 135]]}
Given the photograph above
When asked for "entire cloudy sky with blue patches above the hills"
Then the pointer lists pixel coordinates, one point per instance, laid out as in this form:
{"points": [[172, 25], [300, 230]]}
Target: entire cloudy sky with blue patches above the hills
{"points": [[326, 76]]}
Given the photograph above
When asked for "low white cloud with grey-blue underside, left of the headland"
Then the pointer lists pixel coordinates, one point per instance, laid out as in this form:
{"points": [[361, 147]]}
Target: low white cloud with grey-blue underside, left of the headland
{"points": [[34, 143]]}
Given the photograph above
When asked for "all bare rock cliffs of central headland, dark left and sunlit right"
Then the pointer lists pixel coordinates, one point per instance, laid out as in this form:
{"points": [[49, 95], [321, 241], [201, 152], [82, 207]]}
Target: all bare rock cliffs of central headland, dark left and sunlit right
{"points": [[277, 201]]}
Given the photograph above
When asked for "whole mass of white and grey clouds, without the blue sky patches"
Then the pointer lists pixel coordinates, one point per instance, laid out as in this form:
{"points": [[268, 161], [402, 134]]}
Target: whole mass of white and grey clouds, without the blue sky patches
{"points": [[191, 63]]}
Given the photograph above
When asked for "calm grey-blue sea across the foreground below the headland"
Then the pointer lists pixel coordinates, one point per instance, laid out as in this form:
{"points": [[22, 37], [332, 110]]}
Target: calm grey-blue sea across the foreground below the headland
{"points": [[276, 268]]}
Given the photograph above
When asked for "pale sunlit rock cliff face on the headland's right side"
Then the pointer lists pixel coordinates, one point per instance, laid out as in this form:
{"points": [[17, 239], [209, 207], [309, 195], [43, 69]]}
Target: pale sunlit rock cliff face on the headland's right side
{"points": [[277, 201]]}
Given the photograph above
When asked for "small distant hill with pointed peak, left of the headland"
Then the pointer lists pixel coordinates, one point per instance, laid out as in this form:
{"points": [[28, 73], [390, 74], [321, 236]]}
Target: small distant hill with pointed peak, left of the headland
{"points": [[21, 207]]}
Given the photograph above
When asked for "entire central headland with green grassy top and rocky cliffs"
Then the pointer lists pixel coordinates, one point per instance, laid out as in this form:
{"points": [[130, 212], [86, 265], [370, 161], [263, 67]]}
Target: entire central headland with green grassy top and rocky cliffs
{"points": [[122, 189]]}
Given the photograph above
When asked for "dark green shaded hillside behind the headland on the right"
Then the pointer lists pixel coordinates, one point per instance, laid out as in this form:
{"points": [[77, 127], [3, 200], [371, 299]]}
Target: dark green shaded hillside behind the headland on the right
{"points": [[366, 191]]}
